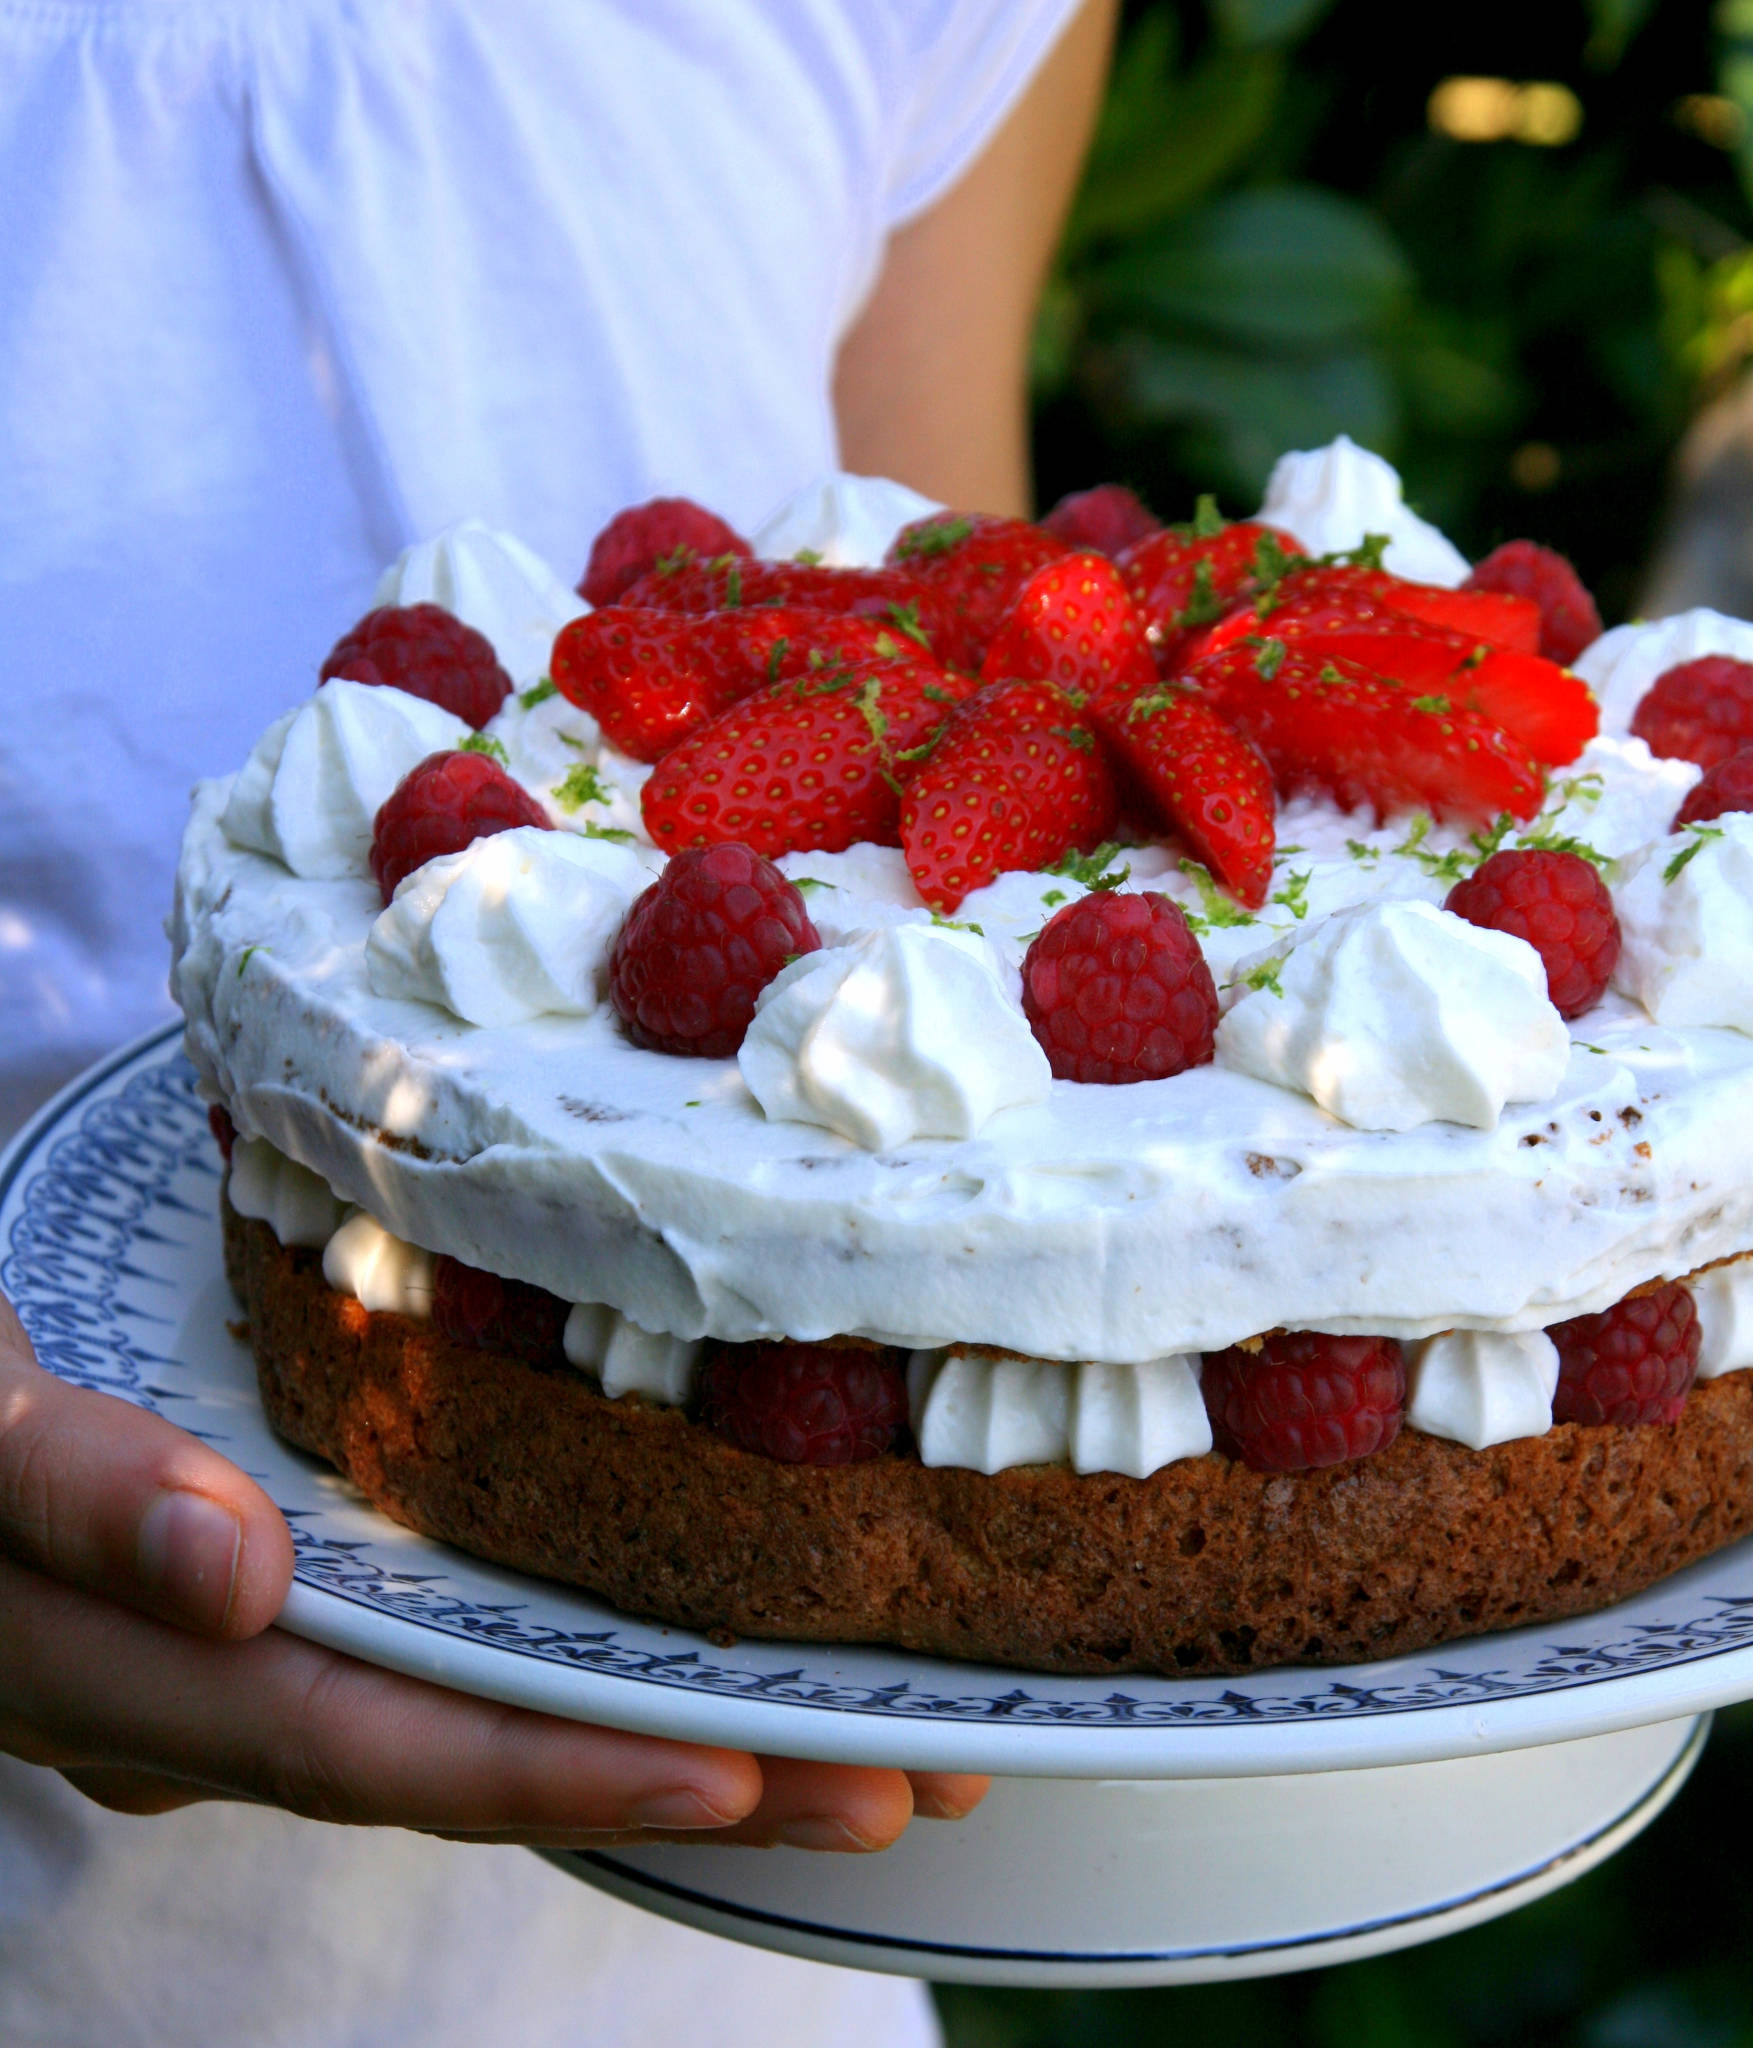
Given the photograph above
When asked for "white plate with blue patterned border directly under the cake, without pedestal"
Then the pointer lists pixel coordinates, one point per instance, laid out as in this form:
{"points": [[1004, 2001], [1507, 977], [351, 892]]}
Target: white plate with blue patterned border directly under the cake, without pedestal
{"points": [[110, 1248]]}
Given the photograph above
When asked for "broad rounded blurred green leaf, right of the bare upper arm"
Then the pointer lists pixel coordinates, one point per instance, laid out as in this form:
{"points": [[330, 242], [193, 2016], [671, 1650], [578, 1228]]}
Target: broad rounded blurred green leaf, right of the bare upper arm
{"points": [[1281, 267]]}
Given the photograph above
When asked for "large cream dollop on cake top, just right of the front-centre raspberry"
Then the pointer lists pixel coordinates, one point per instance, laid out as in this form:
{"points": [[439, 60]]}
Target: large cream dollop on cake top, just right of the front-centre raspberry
{"points": [[1402, 1015]]}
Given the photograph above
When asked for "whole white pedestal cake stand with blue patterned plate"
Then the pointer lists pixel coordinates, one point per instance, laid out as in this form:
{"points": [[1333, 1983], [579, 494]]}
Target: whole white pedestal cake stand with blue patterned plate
{"points": [[1142, 1830]]}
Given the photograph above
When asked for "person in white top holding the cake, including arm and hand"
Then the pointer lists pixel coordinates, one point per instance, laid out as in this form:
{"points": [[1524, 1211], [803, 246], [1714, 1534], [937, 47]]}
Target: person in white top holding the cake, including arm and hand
{"points": [[290, 284]]}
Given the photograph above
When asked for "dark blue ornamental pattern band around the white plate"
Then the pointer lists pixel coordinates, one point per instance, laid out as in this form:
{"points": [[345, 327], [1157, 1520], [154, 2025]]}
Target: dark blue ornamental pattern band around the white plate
{"points": [[95, 1183]]}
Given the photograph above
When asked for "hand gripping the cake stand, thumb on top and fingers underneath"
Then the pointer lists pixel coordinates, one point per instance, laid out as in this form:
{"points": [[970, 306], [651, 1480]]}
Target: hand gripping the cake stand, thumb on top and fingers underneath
{"points": [[138, 1580]]}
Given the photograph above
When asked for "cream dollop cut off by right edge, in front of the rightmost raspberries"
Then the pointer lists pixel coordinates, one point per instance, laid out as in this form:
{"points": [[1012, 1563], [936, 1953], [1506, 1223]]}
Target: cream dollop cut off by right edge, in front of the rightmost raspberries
{"points": [[1686, 921]]}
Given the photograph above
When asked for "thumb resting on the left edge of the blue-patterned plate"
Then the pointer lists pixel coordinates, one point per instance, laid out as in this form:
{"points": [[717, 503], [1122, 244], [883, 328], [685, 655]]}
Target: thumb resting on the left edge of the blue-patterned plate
{"points": [[103, 1496]]}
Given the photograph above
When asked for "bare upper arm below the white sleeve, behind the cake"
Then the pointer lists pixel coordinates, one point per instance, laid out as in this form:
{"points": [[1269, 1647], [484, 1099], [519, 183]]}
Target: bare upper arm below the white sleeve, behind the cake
{"points": [[933, 382]]}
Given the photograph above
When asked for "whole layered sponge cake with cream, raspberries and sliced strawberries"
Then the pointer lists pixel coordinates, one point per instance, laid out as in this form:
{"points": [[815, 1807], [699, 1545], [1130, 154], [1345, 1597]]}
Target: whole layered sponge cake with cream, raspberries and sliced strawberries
{"points": [[1088, 1097]]}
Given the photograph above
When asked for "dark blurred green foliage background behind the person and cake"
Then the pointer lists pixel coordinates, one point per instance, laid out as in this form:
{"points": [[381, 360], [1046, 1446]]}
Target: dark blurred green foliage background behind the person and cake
{"points": [[1510, 249]]}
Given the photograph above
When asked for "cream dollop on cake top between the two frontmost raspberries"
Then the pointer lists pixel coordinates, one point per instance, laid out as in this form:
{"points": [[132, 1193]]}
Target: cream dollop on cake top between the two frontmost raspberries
{"points": [[902, 1033]]}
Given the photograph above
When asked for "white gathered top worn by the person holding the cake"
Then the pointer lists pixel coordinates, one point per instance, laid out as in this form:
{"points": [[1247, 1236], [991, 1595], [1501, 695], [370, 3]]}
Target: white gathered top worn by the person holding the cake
{"points": [[284, 288]]}
